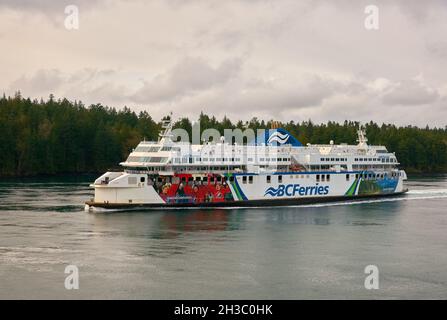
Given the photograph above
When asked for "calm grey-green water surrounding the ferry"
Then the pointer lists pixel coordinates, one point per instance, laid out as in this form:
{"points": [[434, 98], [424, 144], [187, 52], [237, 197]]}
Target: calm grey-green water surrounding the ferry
{"points": [[310, 252]]}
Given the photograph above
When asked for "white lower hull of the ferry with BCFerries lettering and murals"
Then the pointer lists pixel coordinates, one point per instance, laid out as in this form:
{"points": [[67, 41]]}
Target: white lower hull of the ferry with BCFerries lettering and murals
{"points": [[127, 190]]}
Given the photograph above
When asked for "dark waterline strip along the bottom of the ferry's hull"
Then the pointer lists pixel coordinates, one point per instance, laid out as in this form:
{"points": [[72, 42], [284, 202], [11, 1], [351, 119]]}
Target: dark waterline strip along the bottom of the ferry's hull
{"points": [[283, 202]]}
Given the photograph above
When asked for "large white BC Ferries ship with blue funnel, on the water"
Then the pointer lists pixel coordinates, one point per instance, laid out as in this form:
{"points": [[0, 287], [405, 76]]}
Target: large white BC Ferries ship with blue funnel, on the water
{"points": [[273, 170]]}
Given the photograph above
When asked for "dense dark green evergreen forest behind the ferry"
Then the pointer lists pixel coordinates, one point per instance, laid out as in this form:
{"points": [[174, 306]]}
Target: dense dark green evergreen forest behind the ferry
{"points": [[60, 136]]}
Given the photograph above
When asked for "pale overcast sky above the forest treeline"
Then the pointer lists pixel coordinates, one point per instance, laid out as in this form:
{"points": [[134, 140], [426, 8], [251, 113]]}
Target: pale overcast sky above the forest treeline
{"points": [[274, 59]]}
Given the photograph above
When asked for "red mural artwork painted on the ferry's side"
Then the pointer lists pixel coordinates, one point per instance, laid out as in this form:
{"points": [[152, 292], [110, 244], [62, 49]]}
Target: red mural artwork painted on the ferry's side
{"points": [[186, 188]]}
